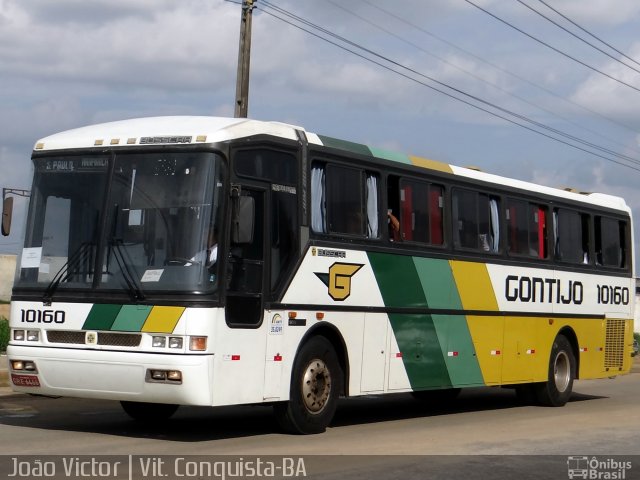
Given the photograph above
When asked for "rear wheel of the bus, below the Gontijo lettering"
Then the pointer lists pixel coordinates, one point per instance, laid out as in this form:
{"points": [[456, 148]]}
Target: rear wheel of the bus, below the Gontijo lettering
{"points": [[555, 392]]}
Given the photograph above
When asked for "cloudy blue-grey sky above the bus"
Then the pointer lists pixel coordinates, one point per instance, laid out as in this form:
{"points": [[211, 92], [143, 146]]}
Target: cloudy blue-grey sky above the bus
{"points": [[70, 63]]}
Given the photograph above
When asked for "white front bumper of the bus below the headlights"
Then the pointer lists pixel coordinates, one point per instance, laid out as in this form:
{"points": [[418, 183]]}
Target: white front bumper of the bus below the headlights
{"points": [[109, 375]]}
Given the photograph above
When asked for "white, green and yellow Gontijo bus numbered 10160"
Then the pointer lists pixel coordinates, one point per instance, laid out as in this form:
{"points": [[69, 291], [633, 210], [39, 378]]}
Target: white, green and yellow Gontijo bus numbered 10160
{"points": [[213, 261]]}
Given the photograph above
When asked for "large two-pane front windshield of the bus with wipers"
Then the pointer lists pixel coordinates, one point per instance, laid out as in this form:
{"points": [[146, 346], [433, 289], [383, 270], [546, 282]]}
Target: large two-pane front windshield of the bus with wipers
{"points": [[147, 222]]}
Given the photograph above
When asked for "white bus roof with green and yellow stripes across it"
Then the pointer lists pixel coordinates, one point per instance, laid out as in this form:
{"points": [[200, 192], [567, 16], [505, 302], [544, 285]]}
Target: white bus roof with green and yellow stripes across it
{"points": [[203, 130]]}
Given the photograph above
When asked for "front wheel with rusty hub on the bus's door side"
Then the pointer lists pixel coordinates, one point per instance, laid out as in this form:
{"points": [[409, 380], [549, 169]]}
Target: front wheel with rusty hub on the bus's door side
{"points": [[316, 383]]}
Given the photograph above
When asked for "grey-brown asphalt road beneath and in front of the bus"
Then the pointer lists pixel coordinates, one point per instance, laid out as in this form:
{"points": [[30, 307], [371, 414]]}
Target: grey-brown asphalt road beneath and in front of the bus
{"points": [[483, 434]]}
